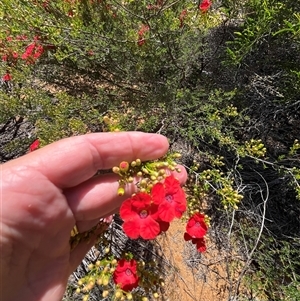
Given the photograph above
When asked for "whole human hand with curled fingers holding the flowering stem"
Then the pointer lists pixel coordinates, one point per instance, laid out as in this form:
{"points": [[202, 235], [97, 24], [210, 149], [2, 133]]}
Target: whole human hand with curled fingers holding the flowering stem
{"points": [[46, 193]]}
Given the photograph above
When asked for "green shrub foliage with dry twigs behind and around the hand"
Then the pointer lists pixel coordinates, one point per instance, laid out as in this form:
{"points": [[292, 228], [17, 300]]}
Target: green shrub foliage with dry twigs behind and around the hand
{"points": [[223, 86]]}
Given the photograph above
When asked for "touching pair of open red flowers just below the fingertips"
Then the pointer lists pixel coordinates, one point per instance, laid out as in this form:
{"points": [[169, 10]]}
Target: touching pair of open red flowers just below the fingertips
{"points": [[147, 215]]}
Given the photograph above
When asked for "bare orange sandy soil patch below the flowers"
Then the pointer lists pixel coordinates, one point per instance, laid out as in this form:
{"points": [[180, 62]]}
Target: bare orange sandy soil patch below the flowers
{"points": [[194, 276]]}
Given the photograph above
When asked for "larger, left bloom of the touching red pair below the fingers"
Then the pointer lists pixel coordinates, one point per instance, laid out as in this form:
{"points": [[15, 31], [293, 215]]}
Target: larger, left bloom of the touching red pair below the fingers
{"points": [[139, 215]]}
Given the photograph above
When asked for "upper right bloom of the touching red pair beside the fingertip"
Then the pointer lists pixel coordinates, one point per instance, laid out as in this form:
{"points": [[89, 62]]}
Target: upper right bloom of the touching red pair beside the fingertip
{"points": [[170, 199]]}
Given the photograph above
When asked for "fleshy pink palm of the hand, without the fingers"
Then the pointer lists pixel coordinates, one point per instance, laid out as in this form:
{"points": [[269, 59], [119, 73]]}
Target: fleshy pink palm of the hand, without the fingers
{"points": [[38, 230]]}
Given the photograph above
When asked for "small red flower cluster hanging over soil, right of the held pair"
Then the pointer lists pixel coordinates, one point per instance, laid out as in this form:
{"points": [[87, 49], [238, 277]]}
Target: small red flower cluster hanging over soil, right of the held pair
{"points": [[196, 228]]}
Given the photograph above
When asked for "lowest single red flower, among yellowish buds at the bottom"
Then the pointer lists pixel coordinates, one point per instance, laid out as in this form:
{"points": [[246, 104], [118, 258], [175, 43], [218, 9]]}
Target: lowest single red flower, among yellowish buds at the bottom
{"points": [[125, 275]]}
